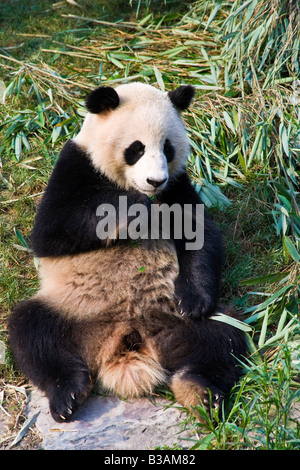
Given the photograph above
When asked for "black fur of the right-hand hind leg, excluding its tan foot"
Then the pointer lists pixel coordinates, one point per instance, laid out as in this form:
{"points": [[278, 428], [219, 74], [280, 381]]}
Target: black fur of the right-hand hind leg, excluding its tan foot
{"points": [[208, 348]]}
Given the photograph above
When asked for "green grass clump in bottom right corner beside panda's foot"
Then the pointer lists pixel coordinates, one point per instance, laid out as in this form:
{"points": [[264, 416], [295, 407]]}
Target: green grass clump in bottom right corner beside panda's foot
{"points": [[261, 414]]}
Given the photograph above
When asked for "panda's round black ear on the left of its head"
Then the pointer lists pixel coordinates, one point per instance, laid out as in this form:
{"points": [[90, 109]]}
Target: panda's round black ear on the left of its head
{"points": [[102, 99]]}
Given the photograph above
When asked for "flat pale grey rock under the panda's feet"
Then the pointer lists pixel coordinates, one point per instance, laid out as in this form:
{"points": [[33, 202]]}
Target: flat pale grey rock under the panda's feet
{"points": [[109, 423]]}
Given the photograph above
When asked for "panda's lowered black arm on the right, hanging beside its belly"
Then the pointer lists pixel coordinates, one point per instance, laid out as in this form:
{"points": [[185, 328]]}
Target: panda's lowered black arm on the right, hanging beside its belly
{"points": [[197, 286]]}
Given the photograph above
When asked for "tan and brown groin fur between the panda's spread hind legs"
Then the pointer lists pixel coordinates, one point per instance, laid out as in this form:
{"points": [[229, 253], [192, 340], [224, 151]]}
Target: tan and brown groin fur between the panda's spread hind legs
{"points": [[129, 369]]}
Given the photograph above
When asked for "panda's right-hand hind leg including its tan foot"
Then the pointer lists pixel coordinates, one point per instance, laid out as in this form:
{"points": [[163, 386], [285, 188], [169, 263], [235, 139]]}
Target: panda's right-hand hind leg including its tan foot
{"points": [[203, 360]]}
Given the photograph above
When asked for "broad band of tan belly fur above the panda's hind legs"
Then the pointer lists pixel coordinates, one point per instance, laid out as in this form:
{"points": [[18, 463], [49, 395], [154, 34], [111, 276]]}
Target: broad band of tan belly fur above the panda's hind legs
{"points": [[115, 284]]}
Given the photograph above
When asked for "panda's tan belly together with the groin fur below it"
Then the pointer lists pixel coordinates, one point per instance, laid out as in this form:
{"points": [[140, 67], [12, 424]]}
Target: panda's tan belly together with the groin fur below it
{"points": [[118, 298]]}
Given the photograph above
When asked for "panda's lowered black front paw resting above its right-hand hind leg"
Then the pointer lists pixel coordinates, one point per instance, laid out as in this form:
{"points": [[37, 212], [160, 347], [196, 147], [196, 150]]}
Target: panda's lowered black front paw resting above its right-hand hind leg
{"points": [[191, 303]]}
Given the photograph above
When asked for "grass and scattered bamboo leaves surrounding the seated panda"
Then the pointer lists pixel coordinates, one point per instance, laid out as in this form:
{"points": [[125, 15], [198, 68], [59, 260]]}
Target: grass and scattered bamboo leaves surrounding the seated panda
{"points": [[243, 58]]}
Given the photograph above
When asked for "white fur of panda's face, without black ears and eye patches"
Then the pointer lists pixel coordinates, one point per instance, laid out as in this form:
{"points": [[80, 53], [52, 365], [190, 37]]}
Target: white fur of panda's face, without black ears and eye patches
{"points": [[145, 114]]}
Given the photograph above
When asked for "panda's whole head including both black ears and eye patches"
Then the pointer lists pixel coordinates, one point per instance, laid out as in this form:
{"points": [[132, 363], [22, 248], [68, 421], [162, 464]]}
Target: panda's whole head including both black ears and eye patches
{"points": [[134, 134]]}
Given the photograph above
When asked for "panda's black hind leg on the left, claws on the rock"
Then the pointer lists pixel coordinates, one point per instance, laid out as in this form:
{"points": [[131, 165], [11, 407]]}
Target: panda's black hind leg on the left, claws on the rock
{"points": [[45, 348]]}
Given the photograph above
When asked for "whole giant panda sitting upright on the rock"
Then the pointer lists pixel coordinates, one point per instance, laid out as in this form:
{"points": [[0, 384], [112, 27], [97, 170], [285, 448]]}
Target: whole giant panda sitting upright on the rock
{"points": [[128, 313]]}
